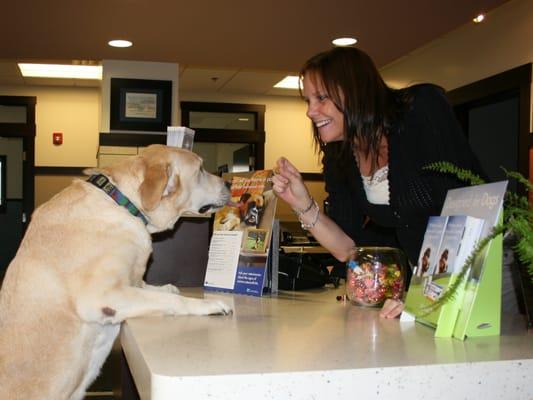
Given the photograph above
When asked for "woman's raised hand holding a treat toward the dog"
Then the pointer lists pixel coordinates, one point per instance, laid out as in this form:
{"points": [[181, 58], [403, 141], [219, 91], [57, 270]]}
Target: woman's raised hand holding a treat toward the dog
{"points": [[289, 186]]}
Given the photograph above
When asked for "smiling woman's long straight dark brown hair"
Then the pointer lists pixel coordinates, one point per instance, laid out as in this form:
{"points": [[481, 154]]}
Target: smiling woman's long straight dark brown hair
{"points": [[355, 86]]}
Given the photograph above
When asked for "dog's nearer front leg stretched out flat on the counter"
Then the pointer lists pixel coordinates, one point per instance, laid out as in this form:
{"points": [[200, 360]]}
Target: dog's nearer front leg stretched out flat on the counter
{"points": [[128, 302]]}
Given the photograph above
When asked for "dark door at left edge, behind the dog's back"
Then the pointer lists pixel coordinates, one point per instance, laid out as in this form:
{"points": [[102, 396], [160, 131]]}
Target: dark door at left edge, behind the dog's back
{"points": [[17, 141]]}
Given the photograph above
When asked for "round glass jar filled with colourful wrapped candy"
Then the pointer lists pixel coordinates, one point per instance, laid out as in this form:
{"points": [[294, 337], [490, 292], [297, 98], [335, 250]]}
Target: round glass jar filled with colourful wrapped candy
{"points": [[374, 275]]}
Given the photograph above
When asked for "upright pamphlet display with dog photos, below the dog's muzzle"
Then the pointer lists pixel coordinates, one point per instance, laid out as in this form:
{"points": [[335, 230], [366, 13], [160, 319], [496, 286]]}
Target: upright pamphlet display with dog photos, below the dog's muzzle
{"points": [[243, 229]]}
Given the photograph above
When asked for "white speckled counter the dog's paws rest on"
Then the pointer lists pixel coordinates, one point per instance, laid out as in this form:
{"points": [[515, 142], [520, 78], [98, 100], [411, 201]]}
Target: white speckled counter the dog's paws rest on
{"points": [[307, 345]]}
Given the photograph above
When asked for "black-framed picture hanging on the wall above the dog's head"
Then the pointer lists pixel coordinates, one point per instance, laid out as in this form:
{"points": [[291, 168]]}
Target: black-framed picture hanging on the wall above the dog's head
{"points": [[140, 105]]}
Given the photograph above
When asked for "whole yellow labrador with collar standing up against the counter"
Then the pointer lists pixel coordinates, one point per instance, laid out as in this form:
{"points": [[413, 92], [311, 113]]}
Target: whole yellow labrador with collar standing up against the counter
{"points": [[78, 272]]}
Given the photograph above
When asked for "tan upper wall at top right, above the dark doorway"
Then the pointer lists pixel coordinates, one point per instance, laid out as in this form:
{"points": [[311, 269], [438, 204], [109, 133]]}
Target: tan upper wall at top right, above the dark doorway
{"points": [[472, 52]]}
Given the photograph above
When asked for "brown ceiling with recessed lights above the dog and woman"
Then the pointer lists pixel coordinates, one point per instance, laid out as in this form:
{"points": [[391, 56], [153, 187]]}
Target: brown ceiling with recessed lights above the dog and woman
{"points": [[235, 46]]}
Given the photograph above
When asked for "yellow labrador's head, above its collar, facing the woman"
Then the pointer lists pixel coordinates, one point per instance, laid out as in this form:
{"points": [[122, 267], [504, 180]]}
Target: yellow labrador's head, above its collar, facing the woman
{"points": [[167, 182]]}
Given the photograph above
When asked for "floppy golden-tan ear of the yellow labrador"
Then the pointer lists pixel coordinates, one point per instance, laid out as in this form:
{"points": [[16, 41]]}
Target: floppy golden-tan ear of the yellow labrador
{"points": [[159, 181]]}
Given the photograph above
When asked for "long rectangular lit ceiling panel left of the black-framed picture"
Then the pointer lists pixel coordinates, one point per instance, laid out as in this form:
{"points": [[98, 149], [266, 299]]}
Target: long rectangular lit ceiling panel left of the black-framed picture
{"points": [[61, 71]]}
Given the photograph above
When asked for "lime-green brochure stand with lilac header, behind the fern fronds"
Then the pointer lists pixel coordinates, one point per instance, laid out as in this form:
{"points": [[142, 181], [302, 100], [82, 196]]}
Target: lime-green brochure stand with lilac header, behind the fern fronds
{"points": [[475, 309]]}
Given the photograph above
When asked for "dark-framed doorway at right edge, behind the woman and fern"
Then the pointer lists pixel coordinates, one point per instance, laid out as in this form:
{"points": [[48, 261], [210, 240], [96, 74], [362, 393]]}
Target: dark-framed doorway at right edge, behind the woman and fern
{"points": [[495, 115]]}
